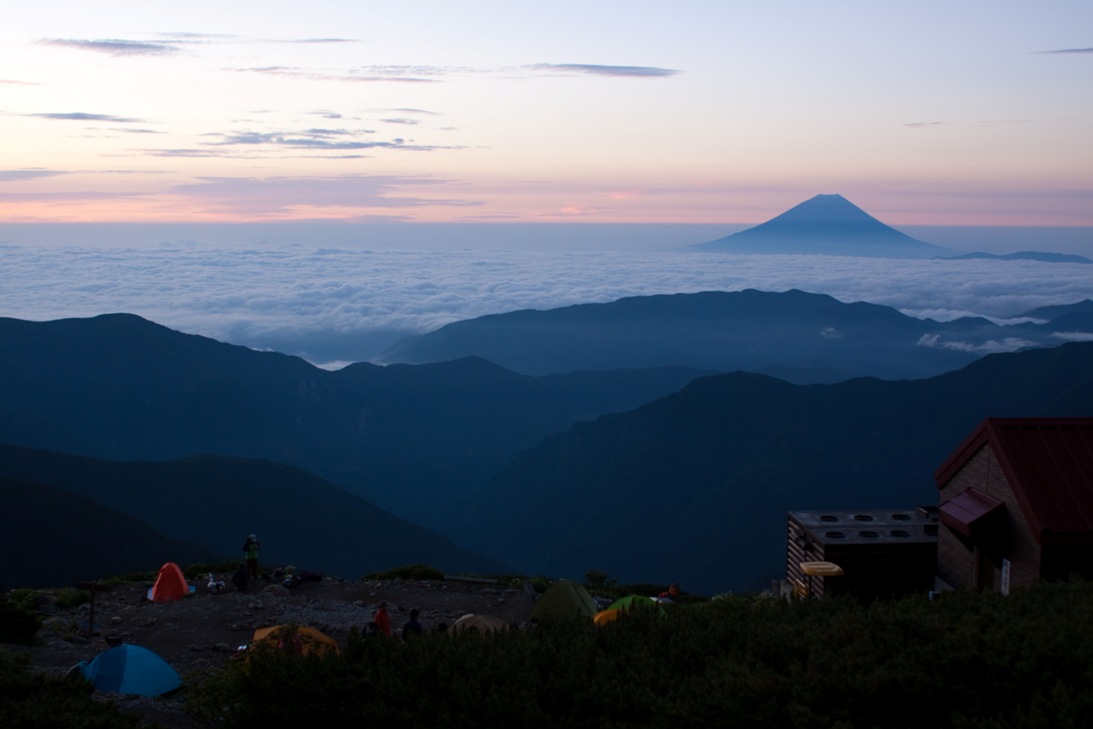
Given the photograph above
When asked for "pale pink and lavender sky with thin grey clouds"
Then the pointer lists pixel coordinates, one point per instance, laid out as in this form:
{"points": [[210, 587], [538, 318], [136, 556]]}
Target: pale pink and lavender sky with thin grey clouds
{"points": [[926, 114]]}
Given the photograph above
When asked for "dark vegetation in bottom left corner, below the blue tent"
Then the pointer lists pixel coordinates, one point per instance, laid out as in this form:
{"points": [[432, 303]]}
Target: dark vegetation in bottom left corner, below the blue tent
{"points": [[29, 700]]}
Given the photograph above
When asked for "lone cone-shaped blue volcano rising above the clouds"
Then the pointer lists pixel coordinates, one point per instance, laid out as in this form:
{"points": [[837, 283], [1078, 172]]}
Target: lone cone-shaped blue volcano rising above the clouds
{"points": [[827, 225]]}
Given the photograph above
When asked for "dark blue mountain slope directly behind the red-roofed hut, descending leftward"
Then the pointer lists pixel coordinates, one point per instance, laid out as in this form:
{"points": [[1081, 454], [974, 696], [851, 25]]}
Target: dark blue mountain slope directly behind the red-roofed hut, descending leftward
{"points": [[696, 487]]}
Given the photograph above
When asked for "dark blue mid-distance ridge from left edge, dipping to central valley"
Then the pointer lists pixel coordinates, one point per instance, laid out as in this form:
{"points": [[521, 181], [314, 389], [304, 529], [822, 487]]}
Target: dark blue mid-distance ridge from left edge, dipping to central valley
{"points": [[407, 439]]}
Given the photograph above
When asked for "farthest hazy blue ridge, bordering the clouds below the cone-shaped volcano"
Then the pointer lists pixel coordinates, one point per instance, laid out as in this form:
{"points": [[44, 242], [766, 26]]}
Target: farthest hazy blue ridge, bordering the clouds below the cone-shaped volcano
{"points": [[795, 336]]}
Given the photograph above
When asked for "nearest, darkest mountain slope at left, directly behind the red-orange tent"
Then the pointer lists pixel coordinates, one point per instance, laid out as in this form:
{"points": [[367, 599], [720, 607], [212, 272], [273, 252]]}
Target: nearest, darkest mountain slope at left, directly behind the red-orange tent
{"points": [[211, 502]]}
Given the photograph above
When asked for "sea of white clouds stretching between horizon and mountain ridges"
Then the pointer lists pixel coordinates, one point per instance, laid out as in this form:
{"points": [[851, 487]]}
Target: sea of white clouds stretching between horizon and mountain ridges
{"points": [[337, 305]]}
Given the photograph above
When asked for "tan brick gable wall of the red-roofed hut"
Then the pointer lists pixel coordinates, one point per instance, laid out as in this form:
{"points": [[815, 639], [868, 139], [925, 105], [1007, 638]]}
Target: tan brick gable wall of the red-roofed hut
{"points": [[956, 561]]}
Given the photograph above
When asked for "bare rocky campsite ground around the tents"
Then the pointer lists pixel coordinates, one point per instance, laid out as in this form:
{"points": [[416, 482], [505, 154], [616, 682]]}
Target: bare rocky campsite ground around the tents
{"points": [[198, 634]]}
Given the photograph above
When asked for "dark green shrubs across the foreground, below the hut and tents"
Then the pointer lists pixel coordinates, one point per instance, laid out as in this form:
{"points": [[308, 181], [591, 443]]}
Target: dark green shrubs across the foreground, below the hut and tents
{"points": [[962, 661]]}
